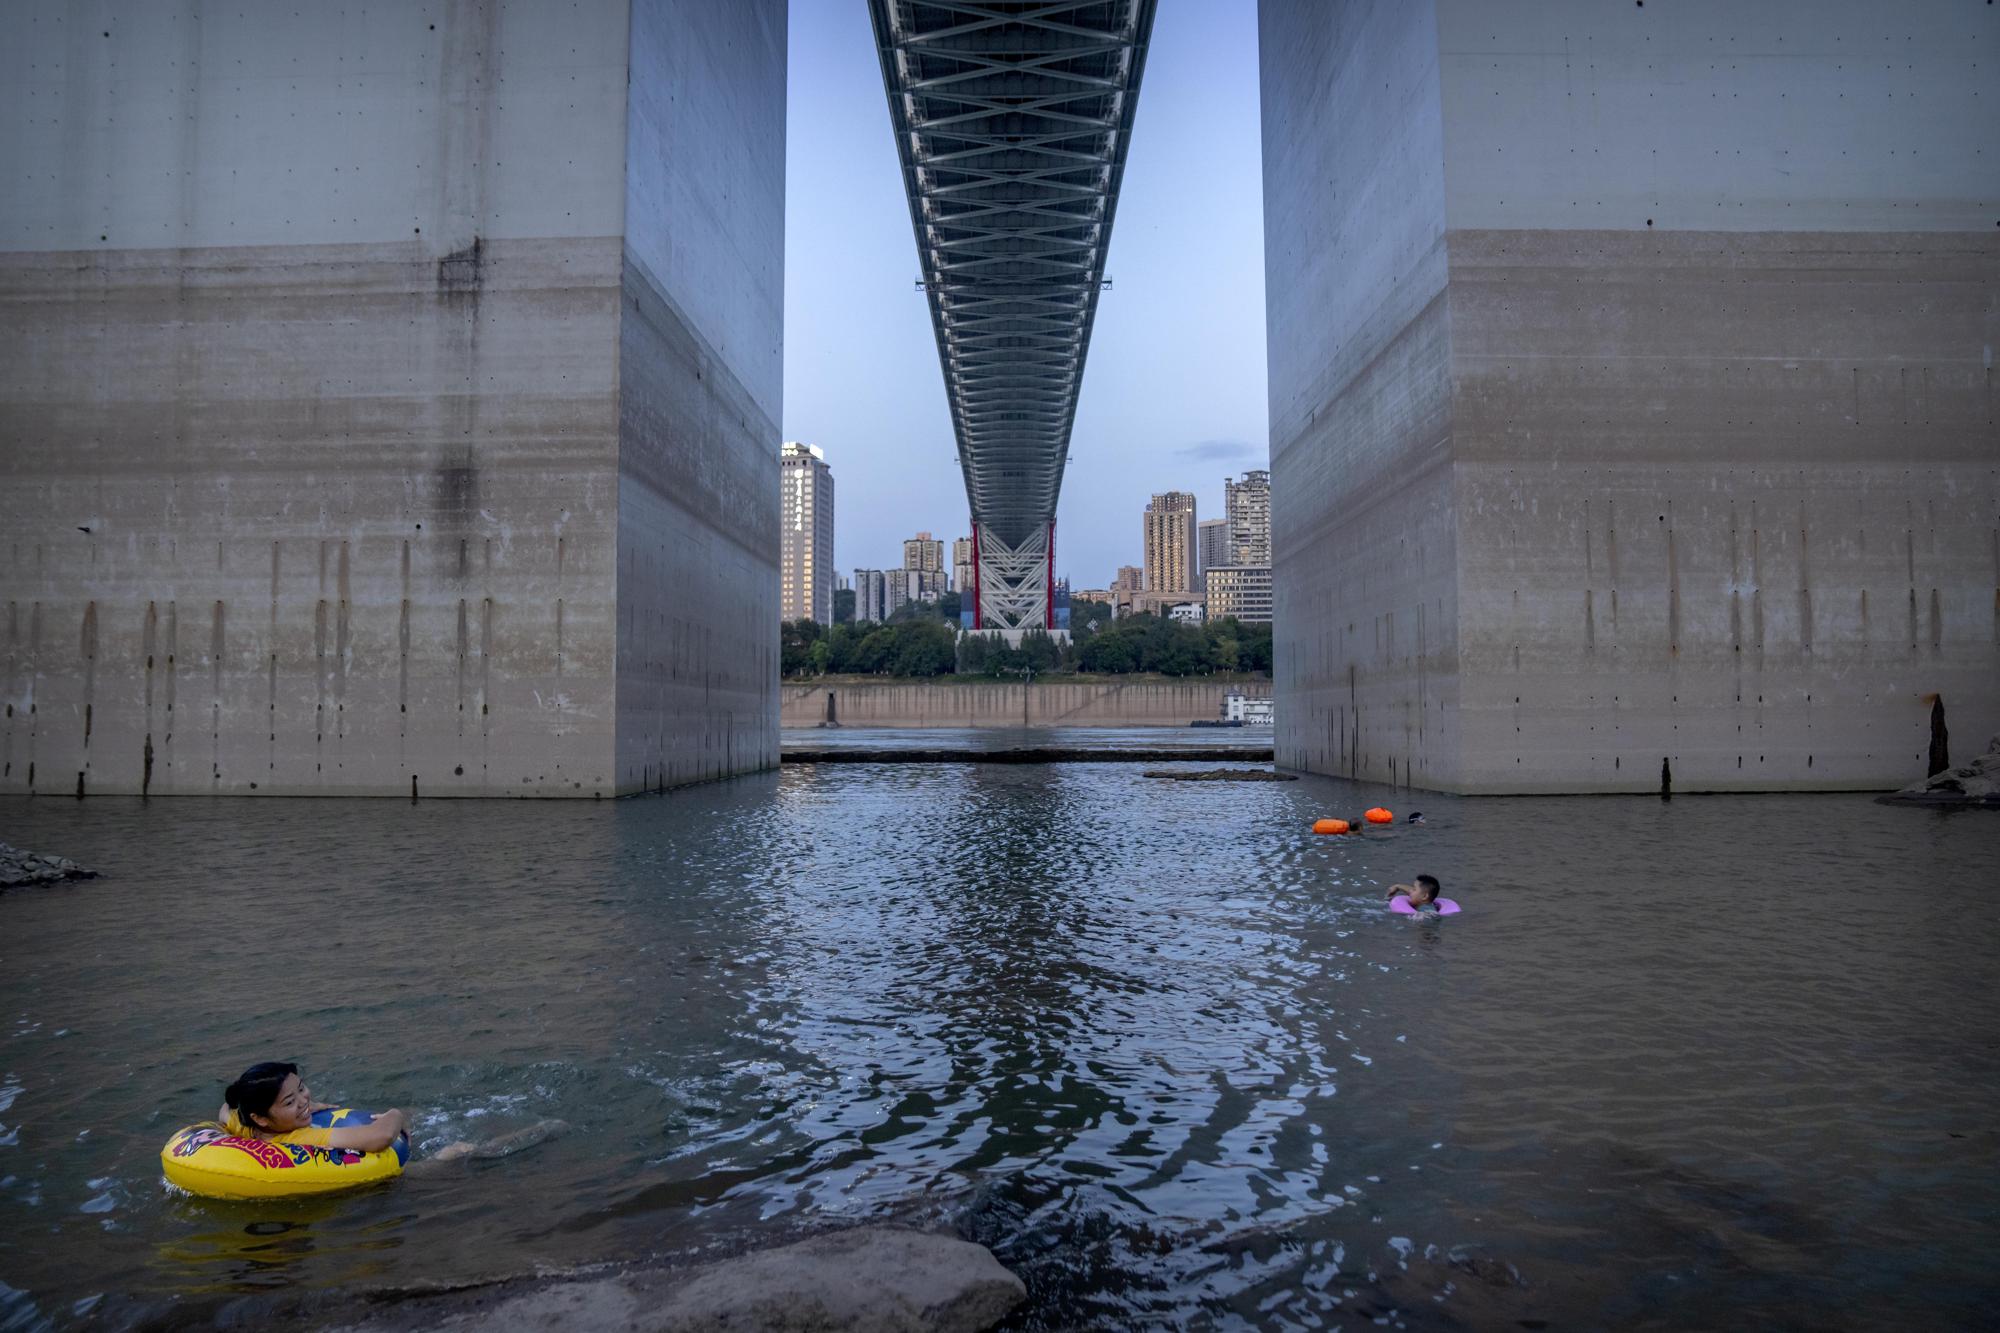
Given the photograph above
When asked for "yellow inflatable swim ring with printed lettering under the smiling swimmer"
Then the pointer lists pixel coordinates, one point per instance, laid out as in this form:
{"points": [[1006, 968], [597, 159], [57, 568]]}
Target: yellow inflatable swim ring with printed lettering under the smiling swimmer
{"points": [[211, 1162]]}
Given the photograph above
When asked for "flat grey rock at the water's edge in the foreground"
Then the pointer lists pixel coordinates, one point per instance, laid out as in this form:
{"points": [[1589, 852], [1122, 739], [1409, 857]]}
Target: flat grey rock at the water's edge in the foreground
{"points": [[865, 1280]]}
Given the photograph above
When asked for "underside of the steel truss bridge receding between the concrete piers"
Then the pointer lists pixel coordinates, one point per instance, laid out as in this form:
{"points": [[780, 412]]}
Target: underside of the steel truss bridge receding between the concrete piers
{"points": [[1013, 121]]}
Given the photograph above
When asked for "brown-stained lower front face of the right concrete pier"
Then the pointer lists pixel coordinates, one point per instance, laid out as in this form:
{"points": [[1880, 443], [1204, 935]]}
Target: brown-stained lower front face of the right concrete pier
{"points": [[1737, 511]]}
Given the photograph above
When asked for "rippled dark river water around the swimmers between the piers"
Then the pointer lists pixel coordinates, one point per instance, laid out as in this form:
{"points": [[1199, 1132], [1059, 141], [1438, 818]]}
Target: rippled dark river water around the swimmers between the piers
{"points": [[1721, 1062]]}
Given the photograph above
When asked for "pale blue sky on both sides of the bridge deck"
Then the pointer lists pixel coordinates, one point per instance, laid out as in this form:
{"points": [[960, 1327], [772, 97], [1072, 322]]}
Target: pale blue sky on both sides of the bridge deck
{"points": [[1175, 389]]}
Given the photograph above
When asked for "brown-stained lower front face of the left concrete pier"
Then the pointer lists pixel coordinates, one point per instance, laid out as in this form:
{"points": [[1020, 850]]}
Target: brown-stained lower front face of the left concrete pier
{"points": [[231, 575]]}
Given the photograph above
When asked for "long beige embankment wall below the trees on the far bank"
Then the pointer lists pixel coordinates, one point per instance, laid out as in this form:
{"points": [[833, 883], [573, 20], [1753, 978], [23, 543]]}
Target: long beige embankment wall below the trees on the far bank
{"points": [[1011, 704]]}
